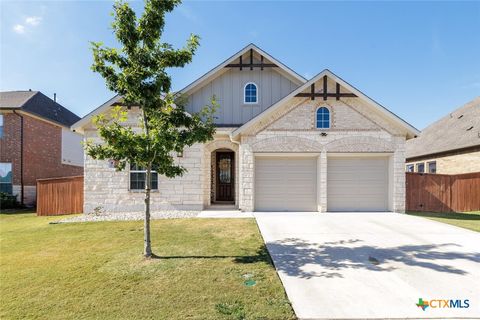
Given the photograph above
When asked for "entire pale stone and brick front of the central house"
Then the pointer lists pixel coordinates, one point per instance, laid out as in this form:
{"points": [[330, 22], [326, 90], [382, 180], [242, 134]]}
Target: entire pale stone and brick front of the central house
{"points": [[355, 129]]}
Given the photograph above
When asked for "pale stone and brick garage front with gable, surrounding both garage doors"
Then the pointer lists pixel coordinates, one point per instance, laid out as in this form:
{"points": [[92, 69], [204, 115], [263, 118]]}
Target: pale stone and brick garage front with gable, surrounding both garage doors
{"points": [[352, 132]]}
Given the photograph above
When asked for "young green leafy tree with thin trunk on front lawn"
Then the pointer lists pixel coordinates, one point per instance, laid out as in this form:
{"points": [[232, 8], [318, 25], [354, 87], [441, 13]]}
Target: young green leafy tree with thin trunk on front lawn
{"points": [[138, 72]]}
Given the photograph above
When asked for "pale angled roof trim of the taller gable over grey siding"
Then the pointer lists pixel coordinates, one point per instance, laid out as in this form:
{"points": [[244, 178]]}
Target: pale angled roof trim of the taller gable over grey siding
{"points": [[210, 75]]}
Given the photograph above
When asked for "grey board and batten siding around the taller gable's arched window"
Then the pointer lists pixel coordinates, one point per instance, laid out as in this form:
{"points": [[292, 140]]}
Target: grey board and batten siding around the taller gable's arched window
{"points": [[228, 89]]}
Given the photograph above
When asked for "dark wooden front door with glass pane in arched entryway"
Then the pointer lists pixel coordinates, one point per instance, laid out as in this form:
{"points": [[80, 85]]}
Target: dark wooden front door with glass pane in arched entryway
{"points": [[225, 177]]}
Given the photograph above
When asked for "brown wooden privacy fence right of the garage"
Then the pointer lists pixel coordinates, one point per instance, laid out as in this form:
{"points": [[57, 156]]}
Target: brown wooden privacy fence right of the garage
{"points": [[443, 193]]}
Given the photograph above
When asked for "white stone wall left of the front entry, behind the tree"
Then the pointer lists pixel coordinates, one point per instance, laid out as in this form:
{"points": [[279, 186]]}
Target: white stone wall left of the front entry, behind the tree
{"points": [[108, 189]]}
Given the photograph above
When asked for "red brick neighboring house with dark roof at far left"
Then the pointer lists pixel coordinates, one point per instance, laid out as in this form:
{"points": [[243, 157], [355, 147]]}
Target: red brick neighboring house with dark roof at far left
{"points": [[35, 142]]}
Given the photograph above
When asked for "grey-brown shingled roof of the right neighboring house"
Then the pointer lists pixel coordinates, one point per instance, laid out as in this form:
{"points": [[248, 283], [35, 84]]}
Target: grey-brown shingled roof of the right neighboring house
{"points": [[457, 130]]}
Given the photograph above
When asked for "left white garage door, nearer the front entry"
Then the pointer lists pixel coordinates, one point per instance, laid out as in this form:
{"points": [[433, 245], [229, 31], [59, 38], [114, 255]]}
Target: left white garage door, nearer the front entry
{"points": [[286, 184]]}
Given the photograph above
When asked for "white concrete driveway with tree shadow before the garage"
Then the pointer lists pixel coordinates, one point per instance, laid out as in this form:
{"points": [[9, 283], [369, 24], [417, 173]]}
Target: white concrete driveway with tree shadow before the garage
{"points": [[372, 265]]}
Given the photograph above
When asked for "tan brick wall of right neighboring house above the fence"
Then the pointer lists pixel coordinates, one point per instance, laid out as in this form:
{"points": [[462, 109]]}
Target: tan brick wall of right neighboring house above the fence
{"points": [[453, 164]]}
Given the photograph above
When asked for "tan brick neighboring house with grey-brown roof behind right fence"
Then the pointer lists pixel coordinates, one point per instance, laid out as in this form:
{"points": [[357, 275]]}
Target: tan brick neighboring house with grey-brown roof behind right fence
{"points": [[450, 145]]}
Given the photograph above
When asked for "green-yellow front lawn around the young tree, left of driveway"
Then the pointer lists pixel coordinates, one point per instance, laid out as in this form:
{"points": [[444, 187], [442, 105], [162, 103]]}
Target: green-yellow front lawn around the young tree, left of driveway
{"points": [[96, 271]]}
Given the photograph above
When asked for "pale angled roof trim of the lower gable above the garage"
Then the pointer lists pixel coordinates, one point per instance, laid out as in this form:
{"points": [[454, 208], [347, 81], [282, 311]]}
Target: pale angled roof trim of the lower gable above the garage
{"points": [[411, 130]]}
